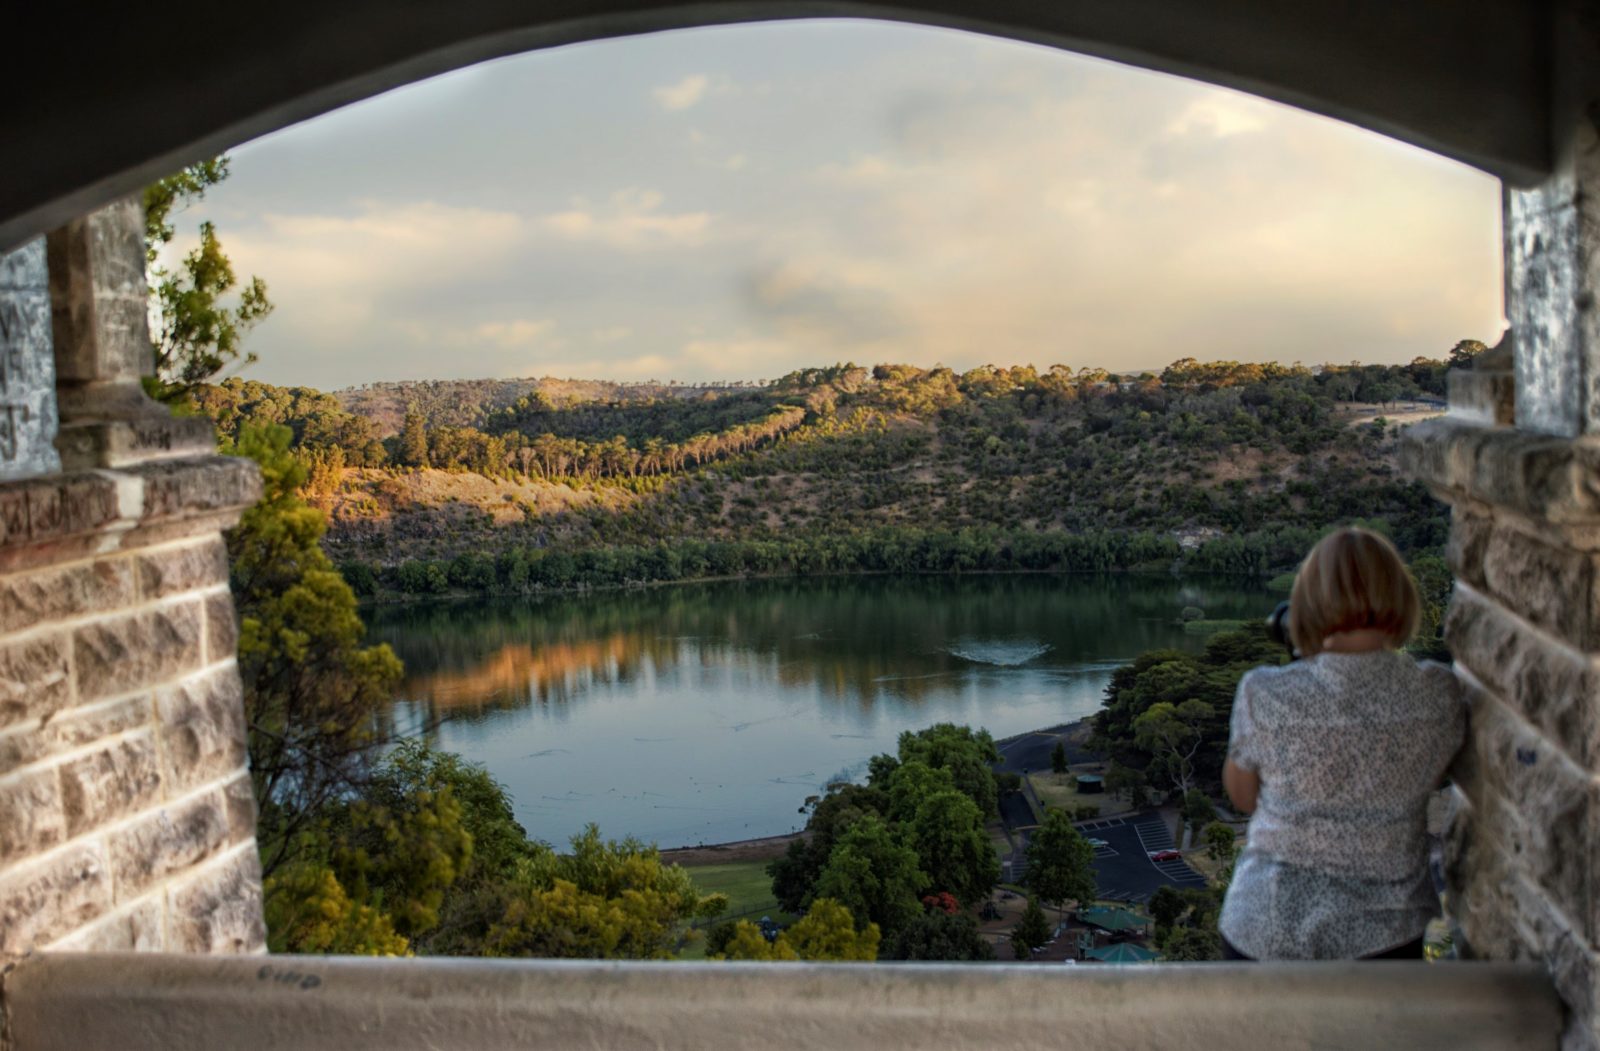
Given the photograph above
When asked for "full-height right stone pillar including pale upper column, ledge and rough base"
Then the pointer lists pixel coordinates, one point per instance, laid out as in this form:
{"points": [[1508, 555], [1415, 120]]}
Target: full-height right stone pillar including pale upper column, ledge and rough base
{"points": [[1519, 462]]}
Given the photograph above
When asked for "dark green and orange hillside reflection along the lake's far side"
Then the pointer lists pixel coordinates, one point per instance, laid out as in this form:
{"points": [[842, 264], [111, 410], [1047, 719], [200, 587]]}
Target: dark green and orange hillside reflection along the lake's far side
{"points": [[855, 641]]}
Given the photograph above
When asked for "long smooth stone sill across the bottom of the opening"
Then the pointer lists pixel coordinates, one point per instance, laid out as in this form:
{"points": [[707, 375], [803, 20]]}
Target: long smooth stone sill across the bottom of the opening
{"points": [[68, 1002]]}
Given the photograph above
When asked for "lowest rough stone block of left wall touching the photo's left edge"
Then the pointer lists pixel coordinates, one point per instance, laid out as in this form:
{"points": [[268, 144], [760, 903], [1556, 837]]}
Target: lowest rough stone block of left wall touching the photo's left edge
{"points": [[42, 901]]}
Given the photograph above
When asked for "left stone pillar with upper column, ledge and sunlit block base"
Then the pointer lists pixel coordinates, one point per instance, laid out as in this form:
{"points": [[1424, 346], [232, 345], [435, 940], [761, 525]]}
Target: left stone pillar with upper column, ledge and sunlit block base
{"points": [[127, 818]]}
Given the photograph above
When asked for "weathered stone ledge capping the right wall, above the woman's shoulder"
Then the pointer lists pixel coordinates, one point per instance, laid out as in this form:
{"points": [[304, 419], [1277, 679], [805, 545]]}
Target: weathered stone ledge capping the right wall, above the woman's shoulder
{"points": [[1542, 478]]}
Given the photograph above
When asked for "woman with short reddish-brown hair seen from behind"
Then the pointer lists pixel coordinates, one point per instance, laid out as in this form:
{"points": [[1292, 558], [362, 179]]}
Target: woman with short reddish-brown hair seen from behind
{"points": [[1335, 756]]}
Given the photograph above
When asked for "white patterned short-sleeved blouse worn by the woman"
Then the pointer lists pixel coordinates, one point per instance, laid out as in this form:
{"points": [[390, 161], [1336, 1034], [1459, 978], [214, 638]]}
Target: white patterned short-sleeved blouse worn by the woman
{"points": [[1348, 748]]}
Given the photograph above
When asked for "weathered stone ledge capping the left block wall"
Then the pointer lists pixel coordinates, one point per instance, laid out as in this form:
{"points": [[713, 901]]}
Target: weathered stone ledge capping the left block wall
{"points": [[76, 516]]}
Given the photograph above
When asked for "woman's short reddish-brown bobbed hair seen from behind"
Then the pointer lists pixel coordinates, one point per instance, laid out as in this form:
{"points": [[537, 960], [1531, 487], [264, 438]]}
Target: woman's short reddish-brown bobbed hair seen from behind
{"points": [[1351, 581]]}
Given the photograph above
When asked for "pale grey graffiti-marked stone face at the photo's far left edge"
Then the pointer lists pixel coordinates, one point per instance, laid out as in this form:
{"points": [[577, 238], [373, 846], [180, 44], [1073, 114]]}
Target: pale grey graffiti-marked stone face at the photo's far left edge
{"points": [[28, 369]]}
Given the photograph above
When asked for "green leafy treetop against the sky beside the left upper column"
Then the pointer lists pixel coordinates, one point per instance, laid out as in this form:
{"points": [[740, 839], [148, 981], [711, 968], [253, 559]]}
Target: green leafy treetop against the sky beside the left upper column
{"points": [[198, 326]]}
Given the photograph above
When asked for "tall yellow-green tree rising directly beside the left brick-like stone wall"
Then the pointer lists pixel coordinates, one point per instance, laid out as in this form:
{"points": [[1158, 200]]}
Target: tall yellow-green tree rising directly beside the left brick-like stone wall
{"points": [[311, 687]]}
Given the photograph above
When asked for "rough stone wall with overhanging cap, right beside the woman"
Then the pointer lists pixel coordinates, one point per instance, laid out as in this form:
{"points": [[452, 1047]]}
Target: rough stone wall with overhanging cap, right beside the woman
{"points": [[1526, 633]]}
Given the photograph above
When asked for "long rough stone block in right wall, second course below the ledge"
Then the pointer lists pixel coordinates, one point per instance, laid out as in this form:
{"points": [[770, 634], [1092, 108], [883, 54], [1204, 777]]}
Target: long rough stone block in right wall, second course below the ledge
{"points": [[1551, 685]]}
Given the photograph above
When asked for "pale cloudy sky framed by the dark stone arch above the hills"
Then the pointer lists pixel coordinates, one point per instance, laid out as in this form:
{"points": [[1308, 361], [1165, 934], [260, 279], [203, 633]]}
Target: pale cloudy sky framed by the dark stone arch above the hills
{"points": [[738, 202]]}
